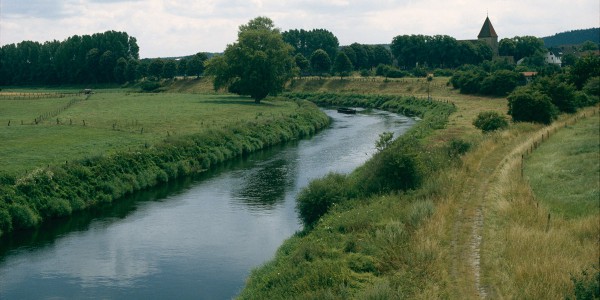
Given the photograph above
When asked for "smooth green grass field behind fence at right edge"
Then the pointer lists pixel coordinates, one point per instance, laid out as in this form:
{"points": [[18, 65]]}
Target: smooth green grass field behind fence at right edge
{"points": [[564, 172]]}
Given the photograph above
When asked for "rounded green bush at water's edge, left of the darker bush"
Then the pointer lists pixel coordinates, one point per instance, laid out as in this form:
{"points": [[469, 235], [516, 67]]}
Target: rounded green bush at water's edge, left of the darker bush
{"points": [[316, 199]]}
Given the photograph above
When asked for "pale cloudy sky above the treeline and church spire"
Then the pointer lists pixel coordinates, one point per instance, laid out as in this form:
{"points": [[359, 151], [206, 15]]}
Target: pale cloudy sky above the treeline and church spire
{"points": [[177, 27]]}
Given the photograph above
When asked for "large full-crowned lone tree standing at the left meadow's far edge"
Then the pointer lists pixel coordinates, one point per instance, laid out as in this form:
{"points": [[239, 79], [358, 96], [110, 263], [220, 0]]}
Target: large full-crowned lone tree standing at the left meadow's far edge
{"points": [[258, 64]]}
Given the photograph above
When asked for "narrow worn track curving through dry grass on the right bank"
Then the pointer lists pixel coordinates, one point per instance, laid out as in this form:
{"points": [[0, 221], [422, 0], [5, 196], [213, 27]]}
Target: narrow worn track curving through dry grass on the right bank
{"points": [[492, 172]]}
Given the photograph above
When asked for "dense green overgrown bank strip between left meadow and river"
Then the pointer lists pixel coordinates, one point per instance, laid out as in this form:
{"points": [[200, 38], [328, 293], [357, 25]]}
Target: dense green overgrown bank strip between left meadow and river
{"points": [[59, 190]]}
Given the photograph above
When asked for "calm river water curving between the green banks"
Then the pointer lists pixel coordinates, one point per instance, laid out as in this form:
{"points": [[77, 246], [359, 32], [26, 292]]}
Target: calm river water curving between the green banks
{"points": [[196, 238]]}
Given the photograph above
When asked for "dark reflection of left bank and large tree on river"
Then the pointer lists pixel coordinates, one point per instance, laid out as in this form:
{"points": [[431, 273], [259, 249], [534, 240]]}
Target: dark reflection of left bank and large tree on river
{"points": [[263, 188]]}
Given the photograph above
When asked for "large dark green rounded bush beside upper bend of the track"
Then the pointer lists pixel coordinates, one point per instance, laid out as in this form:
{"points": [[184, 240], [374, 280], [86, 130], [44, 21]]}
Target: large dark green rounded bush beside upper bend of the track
{"points": [[529, 105]]}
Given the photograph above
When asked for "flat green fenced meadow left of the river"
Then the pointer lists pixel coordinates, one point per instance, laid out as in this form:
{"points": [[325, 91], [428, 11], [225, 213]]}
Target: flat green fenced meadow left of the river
{"points": [[110, 121]]}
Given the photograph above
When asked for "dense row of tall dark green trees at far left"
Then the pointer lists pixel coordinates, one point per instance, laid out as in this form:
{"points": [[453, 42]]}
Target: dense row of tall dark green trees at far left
{"points": [[101, 57]]}
